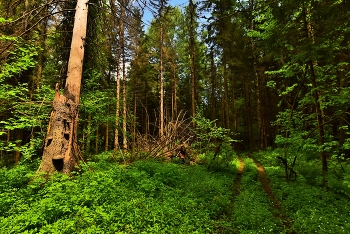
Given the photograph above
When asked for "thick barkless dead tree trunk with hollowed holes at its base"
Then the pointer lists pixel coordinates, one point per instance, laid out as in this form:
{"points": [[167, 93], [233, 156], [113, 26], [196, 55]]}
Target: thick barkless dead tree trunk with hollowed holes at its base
{"points": [[60, 150]]}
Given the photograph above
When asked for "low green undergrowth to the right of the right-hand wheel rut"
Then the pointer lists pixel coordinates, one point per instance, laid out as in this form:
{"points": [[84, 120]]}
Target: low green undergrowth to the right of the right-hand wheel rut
{"points": [[313, 208]]}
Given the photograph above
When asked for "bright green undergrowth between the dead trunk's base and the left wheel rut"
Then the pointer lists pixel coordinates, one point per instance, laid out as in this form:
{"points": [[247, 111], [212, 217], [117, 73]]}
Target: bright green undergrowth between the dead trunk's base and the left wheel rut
{"points": [[104, 197]]}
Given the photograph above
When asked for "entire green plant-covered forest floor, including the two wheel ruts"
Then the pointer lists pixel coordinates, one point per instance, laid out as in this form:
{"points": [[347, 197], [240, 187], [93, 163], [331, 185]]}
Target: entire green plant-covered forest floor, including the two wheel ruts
{"points": [[148, 196]]}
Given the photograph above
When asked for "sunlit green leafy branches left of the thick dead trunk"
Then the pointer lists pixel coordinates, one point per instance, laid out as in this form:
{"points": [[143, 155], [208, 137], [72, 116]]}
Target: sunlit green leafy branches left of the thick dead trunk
{"points": [[22, 109]]}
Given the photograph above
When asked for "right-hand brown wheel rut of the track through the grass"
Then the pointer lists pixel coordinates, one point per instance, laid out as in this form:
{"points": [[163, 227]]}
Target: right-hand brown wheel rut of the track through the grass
{"points": [[276, 204]]}
